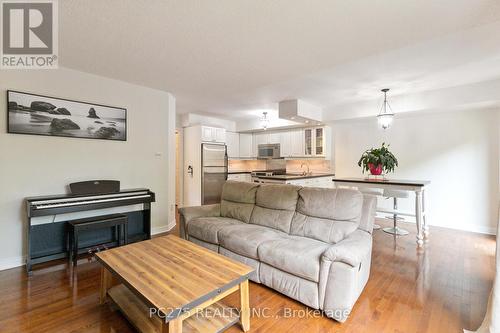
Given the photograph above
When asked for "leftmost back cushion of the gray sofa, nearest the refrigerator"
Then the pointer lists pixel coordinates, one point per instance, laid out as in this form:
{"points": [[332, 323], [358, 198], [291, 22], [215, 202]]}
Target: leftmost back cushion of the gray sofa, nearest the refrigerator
{"points": [[238, 200]]}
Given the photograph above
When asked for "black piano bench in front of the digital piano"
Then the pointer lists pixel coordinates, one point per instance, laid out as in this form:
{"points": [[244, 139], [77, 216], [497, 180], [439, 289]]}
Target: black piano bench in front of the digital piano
{"points": [[116, 221]]}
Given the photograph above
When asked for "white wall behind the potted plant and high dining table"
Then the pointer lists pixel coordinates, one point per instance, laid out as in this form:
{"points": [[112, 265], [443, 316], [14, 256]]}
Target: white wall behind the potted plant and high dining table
{"points": [[457, 151]]}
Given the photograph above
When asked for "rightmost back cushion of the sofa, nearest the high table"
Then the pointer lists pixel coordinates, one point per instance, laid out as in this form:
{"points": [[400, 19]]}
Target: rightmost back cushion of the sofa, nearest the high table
{"points": [[328, 215]]}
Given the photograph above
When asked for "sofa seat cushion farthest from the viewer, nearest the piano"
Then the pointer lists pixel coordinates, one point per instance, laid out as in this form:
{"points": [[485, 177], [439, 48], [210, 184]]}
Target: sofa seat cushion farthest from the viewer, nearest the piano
{"points": [[207, 228]]}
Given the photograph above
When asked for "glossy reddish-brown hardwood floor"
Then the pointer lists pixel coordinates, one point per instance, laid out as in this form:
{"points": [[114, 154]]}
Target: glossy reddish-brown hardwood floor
{"points": [[443, 288]]}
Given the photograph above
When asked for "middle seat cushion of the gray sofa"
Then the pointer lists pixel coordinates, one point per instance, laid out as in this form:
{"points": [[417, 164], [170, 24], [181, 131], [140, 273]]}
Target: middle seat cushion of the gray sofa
{"points": [[245, 239]]}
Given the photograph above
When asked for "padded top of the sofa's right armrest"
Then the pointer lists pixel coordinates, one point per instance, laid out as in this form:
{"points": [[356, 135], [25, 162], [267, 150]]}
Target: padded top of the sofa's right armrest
{"points": [[352, 250]]}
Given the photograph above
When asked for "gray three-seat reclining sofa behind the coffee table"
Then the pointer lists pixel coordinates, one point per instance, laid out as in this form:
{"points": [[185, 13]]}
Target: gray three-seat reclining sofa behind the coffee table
{"points": [[311, 244]]}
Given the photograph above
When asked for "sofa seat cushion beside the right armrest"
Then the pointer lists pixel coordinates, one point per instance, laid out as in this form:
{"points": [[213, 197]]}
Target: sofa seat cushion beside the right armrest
{"points": [[299, 256]]}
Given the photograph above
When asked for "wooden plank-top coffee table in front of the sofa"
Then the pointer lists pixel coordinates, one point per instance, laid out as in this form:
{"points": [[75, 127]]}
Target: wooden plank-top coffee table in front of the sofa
{"points": [[162, 285]]}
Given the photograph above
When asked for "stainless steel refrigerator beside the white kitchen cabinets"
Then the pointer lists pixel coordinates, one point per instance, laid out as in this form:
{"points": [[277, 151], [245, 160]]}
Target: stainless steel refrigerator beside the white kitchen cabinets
{"points": [[213, 172]]}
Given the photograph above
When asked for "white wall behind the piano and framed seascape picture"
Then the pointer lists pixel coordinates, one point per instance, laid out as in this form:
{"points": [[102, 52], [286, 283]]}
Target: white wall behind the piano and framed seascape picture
{"points": [[38, 165]]}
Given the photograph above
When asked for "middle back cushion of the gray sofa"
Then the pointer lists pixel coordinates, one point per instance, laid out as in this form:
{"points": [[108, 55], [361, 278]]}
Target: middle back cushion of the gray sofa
{"points": [[275, 206]]}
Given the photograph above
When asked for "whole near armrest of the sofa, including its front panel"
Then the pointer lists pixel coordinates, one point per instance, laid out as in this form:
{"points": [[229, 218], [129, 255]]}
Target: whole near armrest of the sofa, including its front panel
{"points": [[344, 272]]}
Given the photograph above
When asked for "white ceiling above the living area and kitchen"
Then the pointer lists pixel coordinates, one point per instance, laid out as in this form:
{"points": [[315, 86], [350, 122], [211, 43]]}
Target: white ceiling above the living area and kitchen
{"points": [[234, 57]]}
